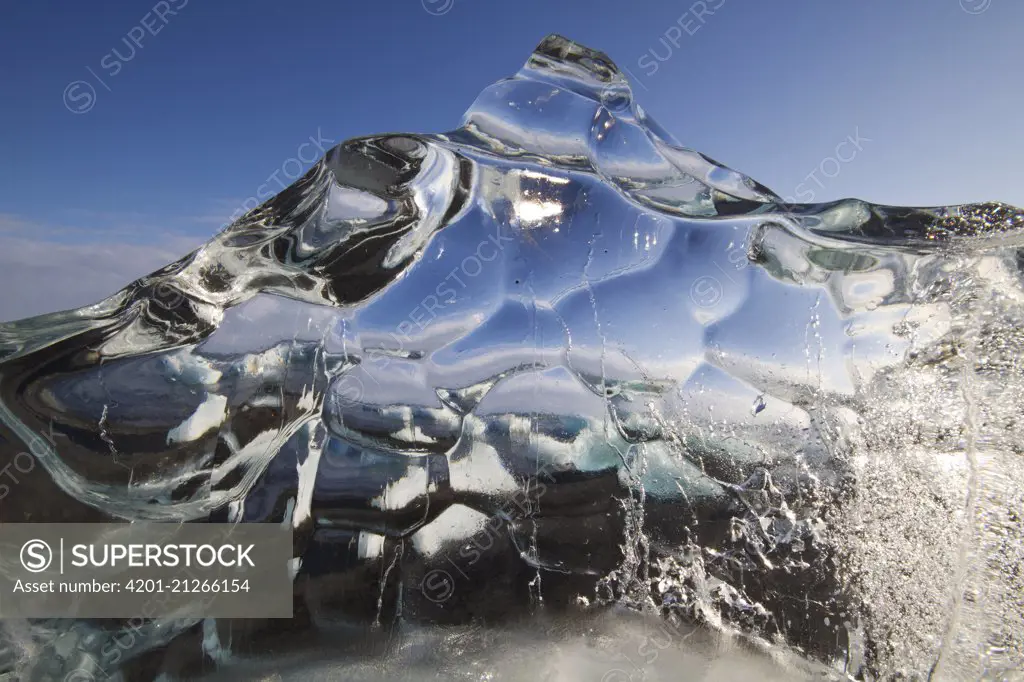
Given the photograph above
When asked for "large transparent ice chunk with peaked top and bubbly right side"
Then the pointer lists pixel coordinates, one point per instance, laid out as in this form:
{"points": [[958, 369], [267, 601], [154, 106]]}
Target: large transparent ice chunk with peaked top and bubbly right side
{"points": [[553, 362]]}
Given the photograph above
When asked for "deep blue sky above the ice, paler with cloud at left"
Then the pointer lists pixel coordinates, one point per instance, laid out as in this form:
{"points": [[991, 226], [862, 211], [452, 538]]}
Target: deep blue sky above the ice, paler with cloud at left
{"points": [[133, 131]]}
